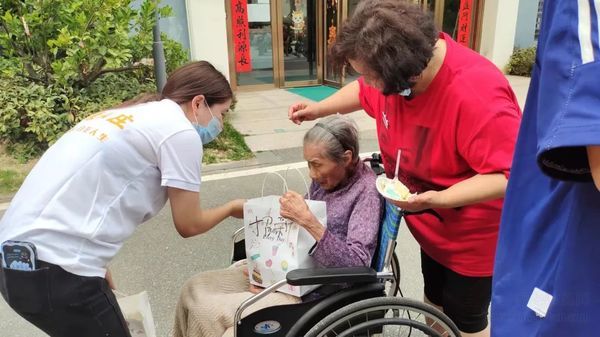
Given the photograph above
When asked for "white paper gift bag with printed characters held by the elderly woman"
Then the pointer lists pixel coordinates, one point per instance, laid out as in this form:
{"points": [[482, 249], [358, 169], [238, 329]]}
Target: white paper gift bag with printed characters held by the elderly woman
{"points": [[274, 245]]}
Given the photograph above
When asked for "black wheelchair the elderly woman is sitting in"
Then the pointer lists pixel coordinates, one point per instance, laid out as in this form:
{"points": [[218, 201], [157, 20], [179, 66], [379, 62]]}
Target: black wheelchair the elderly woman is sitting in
{"points": [[367, 306]]}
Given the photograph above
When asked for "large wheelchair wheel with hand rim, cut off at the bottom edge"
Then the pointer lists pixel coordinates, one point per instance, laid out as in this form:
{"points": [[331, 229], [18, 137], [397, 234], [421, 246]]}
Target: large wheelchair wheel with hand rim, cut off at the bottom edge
{"points": [[385, 316]]}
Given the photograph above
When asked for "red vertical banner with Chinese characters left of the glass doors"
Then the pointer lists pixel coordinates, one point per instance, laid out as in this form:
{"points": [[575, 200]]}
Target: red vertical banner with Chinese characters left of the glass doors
{"points": [[241, 36]]}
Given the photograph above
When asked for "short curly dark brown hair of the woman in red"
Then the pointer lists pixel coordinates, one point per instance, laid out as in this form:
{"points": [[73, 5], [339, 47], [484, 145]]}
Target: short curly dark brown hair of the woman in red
{"points": [[393, 38]]}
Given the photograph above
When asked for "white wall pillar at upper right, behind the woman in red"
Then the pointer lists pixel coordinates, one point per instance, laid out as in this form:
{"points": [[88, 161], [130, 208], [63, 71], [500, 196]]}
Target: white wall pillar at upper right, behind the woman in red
{"points": [[498, 31]]}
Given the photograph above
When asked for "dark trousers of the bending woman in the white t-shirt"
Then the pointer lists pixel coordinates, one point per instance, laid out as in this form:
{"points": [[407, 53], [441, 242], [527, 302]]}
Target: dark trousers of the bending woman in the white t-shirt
{"points": [[63, 304]]}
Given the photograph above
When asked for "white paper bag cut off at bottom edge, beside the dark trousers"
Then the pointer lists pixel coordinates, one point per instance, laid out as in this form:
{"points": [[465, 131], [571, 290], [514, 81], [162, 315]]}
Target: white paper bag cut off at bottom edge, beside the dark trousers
{"points": [[138, 314]]}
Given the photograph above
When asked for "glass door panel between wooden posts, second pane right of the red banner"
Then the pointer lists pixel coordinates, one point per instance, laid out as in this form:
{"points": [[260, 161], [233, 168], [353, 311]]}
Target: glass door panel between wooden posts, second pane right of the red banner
{"points": [[299, 44]]}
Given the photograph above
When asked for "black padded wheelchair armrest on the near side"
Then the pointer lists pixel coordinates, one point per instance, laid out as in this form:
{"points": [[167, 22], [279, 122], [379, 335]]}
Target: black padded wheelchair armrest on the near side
{"points": [[302, 277]]}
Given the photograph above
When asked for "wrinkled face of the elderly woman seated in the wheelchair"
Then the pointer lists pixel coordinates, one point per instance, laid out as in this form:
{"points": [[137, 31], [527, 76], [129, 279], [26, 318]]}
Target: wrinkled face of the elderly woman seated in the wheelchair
{"points": [[328, 173]]}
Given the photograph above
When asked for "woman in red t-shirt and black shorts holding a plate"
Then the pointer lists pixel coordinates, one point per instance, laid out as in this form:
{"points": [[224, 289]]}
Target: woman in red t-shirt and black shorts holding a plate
{"points": [[455, 119]]}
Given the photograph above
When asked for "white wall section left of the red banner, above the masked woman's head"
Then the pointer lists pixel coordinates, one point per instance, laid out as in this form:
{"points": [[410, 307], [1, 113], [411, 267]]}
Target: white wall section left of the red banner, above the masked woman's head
{"points": [[208, 32]]}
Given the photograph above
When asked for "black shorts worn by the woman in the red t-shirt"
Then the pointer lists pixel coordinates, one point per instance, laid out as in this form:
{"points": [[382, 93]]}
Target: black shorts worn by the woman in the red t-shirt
{"points": [[464, 299]]}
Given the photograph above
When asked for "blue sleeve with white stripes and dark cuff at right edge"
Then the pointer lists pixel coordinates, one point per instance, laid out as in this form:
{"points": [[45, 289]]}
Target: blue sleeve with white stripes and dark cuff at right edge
{"points": [[568, 102]]}
